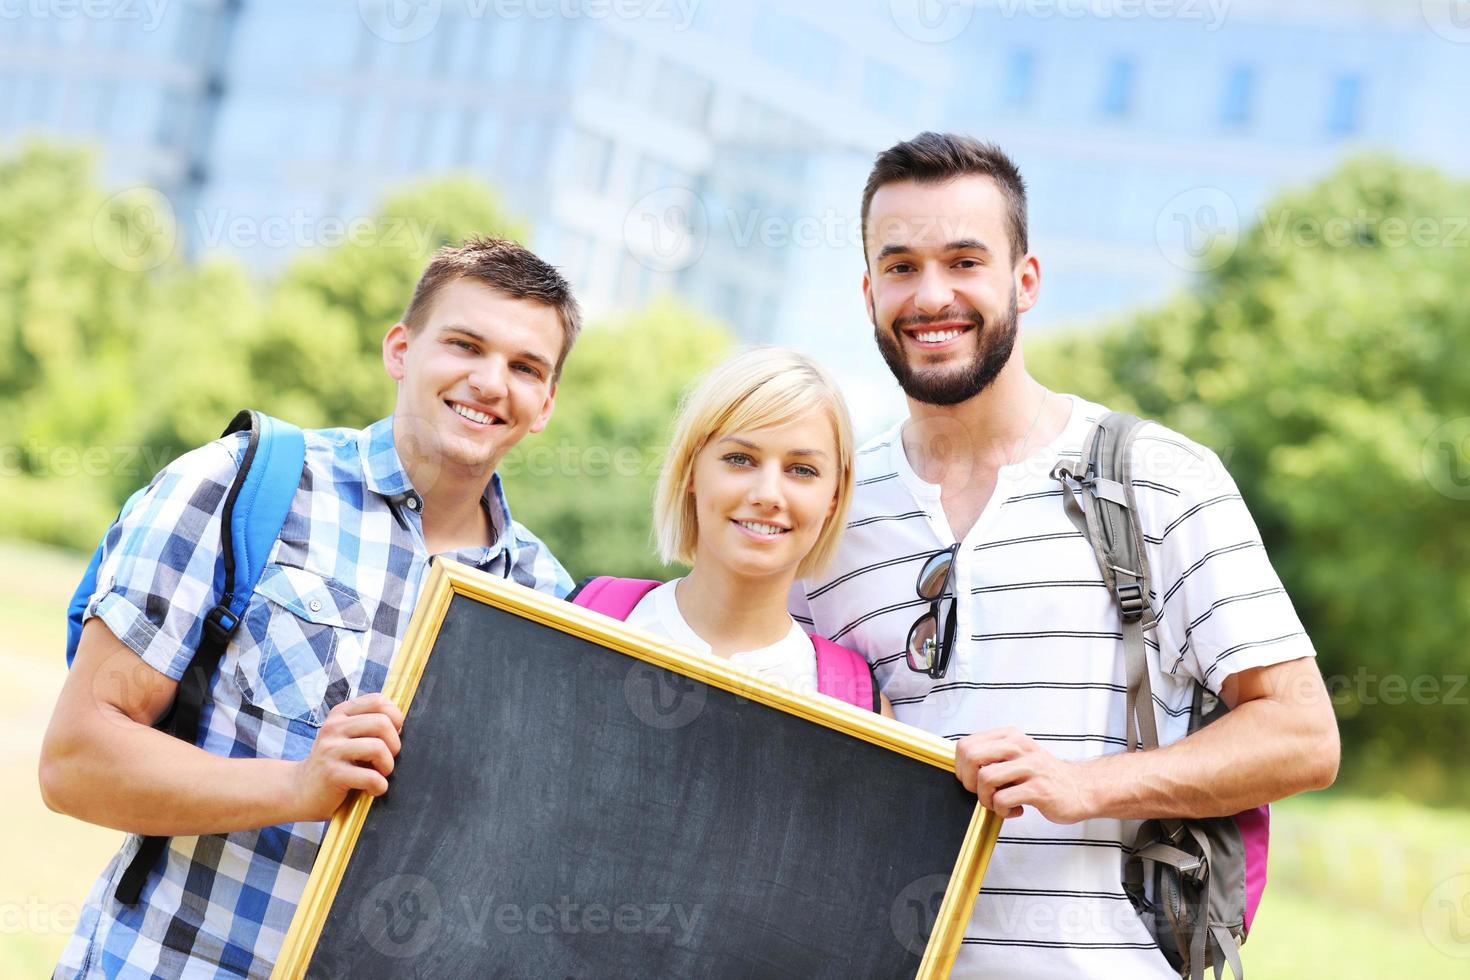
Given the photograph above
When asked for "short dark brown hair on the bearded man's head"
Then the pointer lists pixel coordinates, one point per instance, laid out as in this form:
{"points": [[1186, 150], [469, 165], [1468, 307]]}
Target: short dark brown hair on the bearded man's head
{"points": [[942, 156]]}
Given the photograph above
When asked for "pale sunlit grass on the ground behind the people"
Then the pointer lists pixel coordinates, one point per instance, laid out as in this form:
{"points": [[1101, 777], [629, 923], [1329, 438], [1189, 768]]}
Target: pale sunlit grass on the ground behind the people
{"points": [[1359, 888]]}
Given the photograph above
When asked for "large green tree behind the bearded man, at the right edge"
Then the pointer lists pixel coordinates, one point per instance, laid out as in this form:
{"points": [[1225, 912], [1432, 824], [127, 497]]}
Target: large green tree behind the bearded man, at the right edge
{"points": [[1324, 361]]}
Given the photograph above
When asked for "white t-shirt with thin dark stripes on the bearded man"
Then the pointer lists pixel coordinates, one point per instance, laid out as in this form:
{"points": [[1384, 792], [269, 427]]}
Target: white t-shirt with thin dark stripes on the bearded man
{"points": [[1039, 647]]}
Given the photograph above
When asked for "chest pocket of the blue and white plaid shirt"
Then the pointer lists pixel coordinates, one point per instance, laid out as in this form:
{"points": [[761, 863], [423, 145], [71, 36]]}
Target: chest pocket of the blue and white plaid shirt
{"points": [[306, 656]]}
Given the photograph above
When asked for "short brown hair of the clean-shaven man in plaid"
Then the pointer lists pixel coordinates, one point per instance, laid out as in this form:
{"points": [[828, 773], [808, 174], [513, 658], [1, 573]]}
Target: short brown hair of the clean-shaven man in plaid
{"points": [[505, 267]]}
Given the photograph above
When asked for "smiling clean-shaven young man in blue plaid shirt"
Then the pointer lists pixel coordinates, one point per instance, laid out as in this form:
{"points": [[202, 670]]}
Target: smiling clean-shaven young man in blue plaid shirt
{"points": [[295, 721]]}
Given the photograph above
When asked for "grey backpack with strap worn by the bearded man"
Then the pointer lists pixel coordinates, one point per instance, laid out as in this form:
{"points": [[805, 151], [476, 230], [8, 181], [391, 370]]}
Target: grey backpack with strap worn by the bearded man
{"points": [[1206, 876]]}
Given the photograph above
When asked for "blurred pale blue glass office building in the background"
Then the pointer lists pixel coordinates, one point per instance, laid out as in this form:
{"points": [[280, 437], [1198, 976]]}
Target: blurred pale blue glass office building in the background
{"points": [[717, 148]]}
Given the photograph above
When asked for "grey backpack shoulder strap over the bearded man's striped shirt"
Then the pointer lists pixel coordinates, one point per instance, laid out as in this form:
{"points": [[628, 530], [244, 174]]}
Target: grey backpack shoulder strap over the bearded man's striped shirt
{"points": [[1099, 496]]}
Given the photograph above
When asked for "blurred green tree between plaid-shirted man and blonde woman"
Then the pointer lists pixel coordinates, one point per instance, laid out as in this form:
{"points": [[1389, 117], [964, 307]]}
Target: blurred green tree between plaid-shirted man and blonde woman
{"points": [[586, 484]]}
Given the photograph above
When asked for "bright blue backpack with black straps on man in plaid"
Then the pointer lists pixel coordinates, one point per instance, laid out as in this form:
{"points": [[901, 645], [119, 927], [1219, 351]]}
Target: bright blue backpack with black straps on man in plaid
{"points": [[255, 512]]}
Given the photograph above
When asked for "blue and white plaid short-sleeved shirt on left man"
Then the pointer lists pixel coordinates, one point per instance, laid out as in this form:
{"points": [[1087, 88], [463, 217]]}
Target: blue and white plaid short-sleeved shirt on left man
{"points": [[324, 625]]}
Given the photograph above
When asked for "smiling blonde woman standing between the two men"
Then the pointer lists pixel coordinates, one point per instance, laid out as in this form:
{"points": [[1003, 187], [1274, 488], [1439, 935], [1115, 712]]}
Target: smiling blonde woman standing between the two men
{"points": [[755, 494]]}
